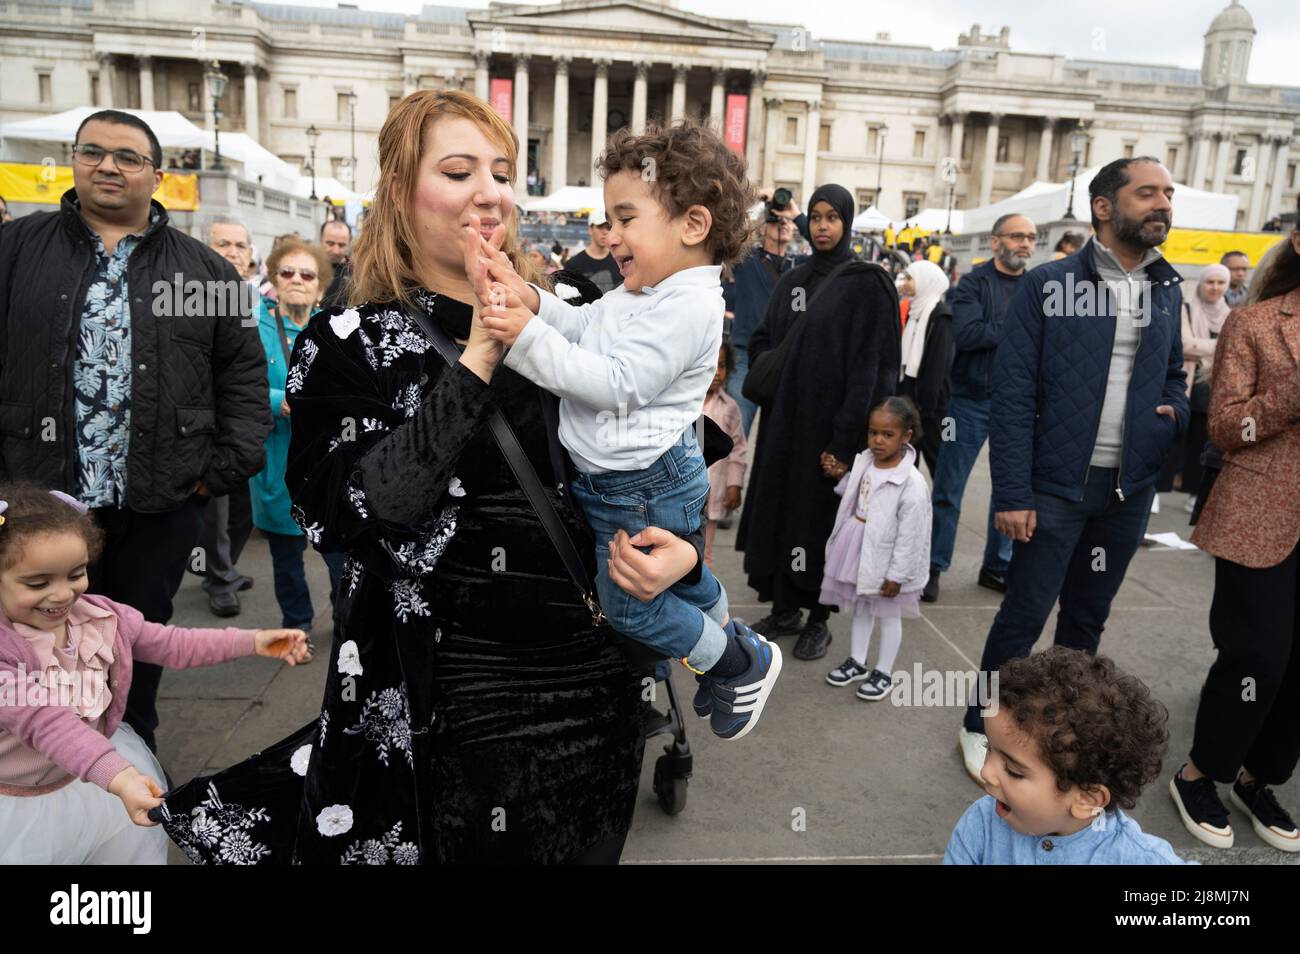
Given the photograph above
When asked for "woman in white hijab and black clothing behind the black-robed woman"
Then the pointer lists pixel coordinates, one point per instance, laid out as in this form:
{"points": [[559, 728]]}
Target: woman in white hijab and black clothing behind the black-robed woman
{"points": [[928, 352]]}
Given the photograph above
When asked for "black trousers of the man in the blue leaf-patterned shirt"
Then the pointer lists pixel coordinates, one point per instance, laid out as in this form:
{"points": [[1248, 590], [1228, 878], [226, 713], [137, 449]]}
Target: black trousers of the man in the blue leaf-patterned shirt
{"points": [[142, 566]]}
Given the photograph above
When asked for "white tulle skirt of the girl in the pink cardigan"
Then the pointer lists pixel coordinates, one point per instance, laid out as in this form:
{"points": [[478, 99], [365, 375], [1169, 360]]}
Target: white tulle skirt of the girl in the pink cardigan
{"points": [[81, 823]]}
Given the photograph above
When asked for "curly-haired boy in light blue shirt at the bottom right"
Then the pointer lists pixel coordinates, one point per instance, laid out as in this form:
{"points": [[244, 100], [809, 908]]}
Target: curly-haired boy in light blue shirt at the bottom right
{"points": [[1072, 741]]}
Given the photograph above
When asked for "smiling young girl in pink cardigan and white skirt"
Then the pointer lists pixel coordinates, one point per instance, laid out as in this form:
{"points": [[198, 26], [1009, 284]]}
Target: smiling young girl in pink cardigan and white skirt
{"points": [[68, 764]]}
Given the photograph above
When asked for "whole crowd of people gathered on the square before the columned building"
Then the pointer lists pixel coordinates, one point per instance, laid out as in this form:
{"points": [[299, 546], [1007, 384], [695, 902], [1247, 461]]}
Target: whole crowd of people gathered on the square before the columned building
{"points": [[501, 453]]}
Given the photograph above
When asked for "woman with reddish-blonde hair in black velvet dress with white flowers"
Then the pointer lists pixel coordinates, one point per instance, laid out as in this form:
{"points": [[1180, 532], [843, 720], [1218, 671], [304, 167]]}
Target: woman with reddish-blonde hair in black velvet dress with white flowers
{"points": [[474, 713]]}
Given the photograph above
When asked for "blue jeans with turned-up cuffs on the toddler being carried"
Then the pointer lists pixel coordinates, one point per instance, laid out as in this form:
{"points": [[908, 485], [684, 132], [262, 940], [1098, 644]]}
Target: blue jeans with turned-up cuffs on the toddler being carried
{"points": [[686, 621]]}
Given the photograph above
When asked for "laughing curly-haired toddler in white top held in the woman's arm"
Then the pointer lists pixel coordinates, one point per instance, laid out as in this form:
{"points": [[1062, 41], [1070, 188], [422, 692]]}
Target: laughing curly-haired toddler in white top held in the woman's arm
{"points": [[632, 371]]}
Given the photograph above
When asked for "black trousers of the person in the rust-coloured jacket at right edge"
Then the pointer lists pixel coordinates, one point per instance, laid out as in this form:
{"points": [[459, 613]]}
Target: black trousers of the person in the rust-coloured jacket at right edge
{"points": [[1250, 712]]}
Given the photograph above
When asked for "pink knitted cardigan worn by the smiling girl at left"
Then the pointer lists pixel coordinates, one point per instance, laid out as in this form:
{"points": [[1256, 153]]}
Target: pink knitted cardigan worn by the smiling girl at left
{"points": [[64, 738]]}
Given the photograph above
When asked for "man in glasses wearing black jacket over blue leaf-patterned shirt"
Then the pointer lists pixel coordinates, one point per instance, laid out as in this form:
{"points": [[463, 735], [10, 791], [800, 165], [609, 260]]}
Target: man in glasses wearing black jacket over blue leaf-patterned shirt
{"points": [[111, 396]]}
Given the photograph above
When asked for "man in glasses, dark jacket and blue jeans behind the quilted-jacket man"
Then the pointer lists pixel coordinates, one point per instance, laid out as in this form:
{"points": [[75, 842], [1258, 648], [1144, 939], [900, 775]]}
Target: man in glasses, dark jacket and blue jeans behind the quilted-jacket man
{"points": [[980, 303]]}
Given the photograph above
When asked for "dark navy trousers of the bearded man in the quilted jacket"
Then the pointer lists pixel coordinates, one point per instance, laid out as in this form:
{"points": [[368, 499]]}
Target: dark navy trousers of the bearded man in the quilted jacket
{"points": [[1080, 553]]}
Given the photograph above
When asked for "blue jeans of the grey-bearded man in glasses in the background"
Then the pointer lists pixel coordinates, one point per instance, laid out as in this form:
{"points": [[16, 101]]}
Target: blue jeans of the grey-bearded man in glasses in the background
{"points": [[956, 459]]}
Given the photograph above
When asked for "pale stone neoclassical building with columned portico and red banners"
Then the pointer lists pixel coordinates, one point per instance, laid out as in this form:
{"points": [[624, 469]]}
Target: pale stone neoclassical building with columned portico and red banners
{"points": [[878, 118]]}
